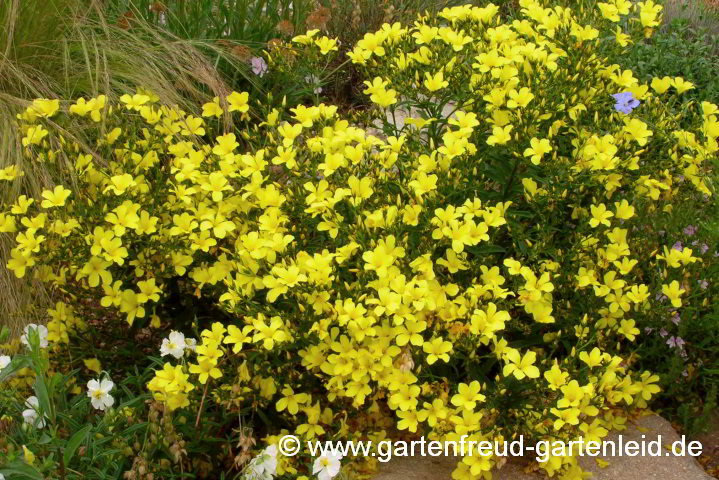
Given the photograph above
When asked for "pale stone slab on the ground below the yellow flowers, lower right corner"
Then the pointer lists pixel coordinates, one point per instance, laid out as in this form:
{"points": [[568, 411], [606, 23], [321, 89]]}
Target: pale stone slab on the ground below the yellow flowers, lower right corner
{"points": [[664, 467]]}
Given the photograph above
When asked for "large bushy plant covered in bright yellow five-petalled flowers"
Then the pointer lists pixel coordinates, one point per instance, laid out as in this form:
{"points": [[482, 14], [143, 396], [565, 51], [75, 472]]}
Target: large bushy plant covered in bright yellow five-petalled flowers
{"points": [[486, 274]]}
